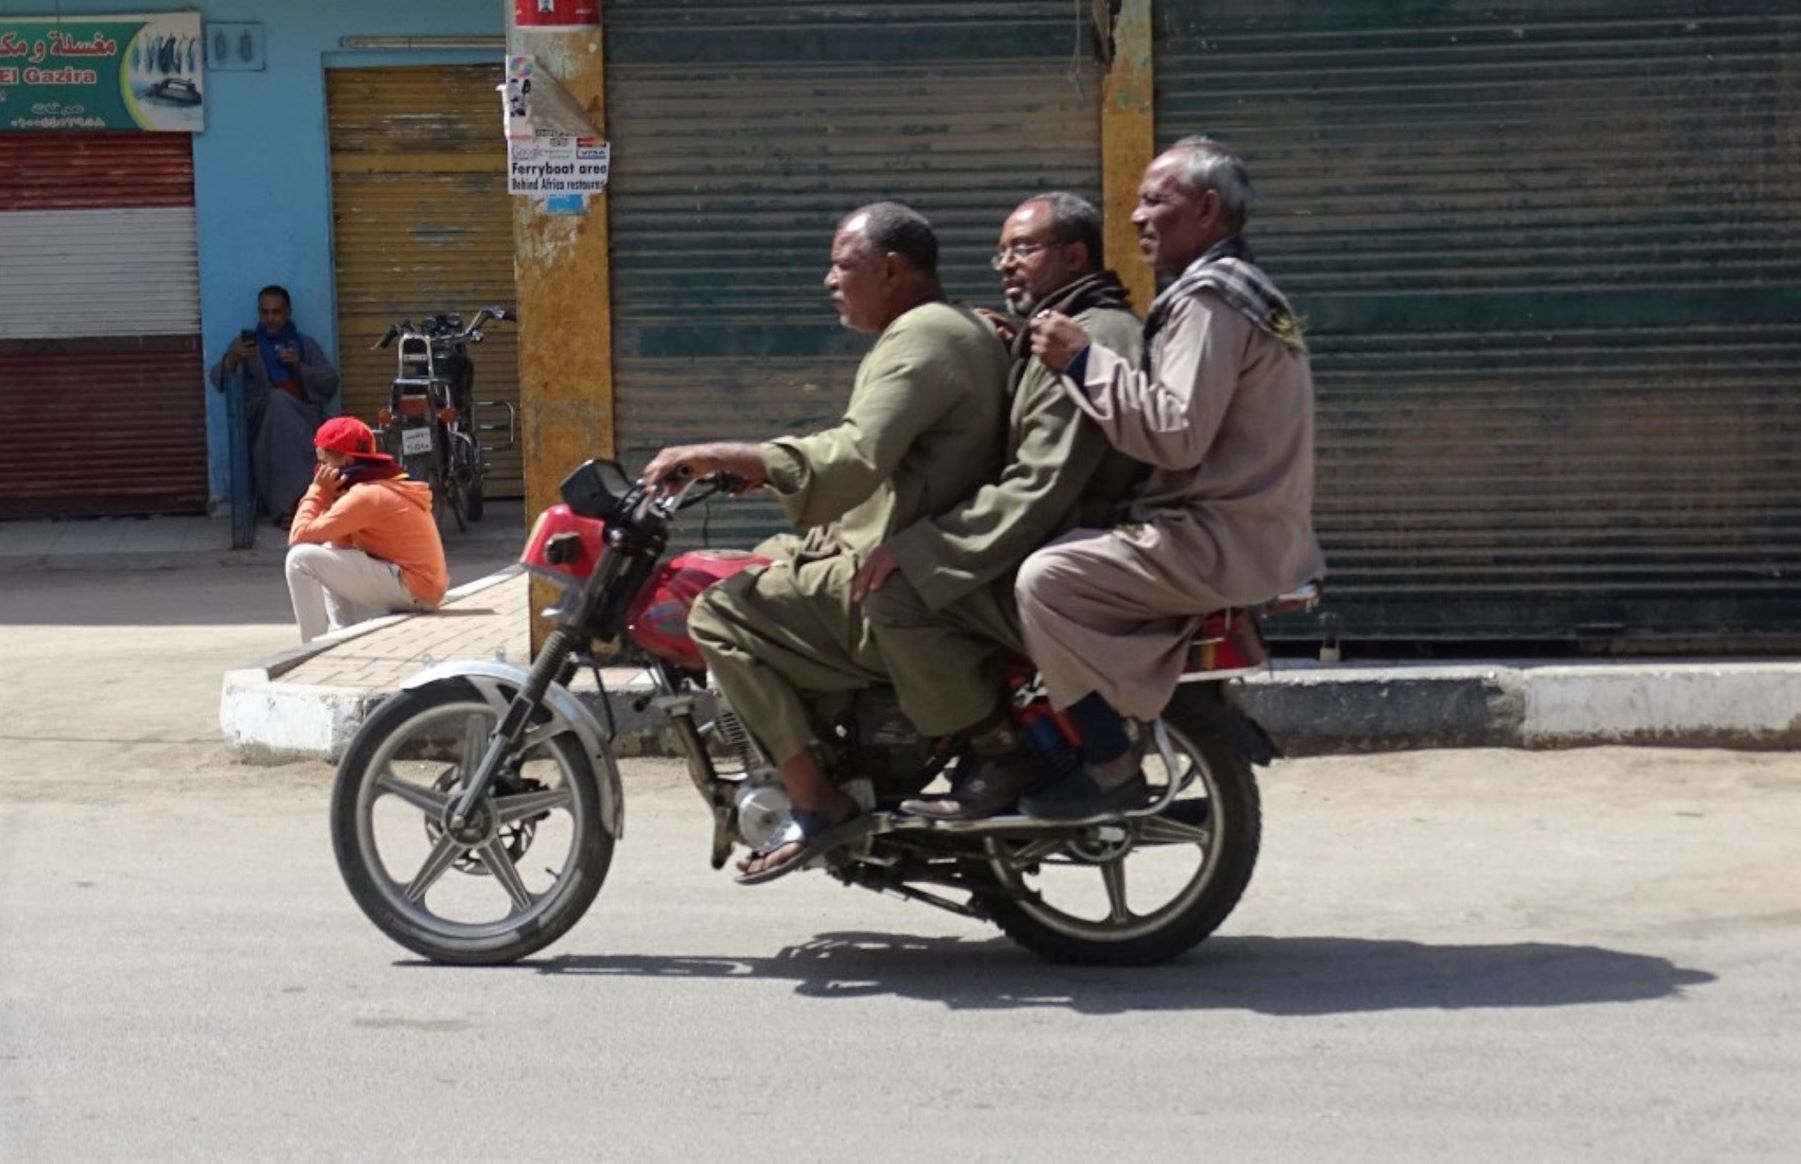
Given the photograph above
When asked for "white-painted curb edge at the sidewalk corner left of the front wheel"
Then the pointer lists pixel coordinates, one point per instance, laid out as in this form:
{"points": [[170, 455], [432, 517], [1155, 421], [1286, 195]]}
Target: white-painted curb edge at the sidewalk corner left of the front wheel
{"points": [[267, 722]]}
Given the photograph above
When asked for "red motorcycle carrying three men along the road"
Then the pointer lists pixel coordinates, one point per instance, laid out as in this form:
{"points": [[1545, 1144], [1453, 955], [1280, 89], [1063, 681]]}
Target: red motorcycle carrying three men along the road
{"points": [[476, 812]]}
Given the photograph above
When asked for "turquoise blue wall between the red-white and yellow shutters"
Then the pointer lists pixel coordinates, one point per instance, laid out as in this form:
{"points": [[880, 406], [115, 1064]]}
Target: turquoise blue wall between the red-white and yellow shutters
{"points": [[262, 168]]}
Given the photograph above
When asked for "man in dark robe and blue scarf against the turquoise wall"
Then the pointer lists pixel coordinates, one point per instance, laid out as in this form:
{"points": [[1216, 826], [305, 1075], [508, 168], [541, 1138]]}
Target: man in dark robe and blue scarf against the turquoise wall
{"points": [[287, 383]]}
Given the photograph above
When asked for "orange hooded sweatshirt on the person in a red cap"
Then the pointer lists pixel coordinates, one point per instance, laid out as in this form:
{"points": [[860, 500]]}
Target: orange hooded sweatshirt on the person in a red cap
{"points": [[386, 520]]}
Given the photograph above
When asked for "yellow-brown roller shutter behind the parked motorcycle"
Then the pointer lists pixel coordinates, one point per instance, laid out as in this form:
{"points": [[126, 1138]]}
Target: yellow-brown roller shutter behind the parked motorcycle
{"points": [[422, 224]]}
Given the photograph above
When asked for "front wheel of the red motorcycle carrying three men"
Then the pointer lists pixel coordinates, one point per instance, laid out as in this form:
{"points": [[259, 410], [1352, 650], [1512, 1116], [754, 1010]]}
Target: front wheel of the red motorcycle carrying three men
{"points": [[512, 878]]}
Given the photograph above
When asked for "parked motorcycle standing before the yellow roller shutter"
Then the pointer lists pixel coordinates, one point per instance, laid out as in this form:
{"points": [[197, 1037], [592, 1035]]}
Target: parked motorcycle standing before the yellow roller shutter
{"points": [[431, 421]]}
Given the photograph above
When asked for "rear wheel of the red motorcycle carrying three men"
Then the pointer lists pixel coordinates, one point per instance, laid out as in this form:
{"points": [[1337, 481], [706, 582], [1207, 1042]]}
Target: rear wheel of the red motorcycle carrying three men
{"points": [[1137, 891]]}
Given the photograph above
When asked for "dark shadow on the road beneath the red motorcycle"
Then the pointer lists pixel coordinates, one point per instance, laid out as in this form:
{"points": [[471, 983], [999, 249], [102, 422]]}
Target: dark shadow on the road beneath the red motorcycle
{"points": [[1269, 976]]}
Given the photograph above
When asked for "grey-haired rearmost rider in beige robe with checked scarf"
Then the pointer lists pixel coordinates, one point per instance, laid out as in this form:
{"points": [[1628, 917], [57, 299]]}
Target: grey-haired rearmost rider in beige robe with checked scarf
{"points": [[1224, 415]]}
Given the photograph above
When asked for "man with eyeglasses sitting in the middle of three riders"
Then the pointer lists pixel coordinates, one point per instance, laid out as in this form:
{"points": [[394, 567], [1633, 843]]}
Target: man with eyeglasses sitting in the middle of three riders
{"points": [[939, 594]]}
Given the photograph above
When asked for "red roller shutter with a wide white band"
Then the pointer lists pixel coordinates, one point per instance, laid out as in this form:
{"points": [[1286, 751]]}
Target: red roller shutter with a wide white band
{"points": [[102, 377]]}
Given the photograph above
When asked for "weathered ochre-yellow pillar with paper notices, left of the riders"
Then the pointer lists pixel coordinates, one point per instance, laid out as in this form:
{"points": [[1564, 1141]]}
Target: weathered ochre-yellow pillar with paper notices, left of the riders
{"points": [[565, 300]]}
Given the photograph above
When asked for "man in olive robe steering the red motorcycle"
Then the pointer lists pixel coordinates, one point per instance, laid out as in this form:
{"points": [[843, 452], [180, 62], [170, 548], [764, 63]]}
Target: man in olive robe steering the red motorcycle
{"points": [[923, 430]]}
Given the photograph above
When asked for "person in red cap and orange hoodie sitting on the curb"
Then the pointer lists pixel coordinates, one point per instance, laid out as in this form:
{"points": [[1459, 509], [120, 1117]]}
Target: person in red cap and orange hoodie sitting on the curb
{"points": [[363, 541]]}
